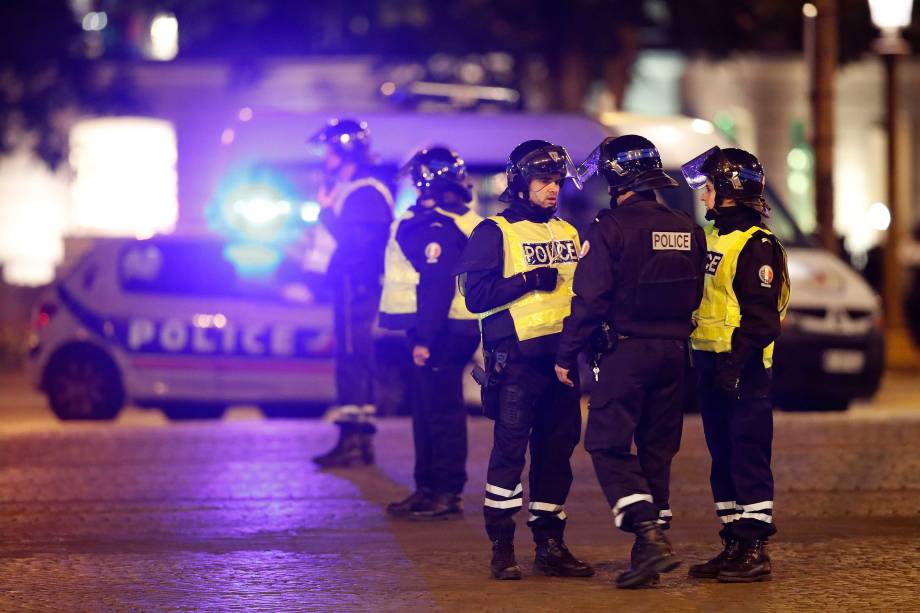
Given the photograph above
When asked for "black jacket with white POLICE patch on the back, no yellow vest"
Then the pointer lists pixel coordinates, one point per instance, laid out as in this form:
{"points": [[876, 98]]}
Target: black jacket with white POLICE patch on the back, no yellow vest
{"points": [[641, 271]]}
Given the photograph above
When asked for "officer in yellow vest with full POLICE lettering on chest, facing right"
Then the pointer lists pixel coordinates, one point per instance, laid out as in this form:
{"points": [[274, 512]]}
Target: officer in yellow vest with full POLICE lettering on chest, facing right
{"points": [[517, 274]]}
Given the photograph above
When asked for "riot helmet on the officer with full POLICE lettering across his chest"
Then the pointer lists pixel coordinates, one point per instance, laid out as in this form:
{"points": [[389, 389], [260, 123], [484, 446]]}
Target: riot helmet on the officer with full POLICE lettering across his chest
{"points": [[536, 159]]}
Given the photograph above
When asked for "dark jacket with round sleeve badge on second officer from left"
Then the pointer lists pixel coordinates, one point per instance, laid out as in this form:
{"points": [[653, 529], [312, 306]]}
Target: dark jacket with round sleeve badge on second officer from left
{"points": [[432, 243]]}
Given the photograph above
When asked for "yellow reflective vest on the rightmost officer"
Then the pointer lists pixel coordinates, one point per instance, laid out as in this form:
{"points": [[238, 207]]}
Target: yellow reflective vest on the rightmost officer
{"points": [[719, 312]]}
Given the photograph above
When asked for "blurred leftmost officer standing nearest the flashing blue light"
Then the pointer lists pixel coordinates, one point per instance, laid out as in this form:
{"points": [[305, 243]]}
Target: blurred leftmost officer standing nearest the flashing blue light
{"points": [[355, 216]]}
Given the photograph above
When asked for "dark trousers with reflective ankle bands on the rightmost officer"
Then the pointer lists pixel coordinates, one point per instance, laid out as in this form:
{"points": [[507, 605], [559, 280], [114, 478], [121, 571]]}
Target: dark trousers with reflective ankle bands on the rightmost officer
{"points": [[739, 434]]}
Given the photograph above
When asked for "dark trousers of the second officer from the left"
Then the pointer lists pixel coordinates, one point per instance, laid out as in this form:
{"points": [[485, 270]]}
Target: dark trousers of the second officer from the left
{"points": [[439, 415]]}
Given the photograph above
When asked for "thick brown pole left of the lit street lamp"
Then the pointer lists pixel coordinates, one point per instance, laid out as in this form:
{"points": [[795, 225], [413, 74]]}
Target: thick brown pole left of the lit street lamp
{"points": [[822, 112]]}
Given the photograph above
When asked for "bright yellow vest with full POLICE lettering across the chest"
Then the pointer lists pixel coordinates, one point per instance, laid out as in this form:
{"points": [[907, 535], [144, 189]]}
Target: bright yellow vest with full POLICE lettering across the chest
{"points": [[529, 245]]}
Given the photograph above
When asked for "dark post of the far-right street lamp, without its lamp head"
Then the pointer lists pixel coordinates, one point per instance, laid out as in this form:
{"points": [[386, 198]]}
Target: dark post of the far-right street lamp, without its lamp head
{"points": [[891, 288]]}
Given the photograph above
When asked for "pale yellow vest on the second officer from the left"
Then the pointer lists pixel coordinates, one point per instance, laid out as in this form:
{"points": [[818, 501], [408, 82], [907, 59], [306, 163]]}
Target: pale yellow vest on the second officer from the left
{"points": [[400, 281]]}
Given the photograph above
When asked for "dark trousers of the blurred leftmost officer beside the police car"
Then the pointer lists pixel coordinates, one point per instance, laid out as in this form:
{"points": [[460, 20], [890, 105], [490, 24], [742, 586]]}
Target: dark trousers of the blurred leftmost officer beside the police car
{"points": [[355, 305]]}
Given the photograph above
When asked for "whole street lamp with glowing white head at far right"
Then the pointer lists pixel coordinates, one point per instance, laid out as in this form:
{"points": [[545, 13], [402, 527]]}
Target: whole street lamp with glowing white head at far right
{"points": [[890, 17]]}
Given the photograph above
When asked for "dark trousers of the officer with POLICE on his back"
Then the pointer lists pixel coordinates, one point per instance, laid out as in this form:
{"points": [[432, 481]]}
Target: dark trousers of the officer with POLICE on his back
{"points": [[639, 397]]}
